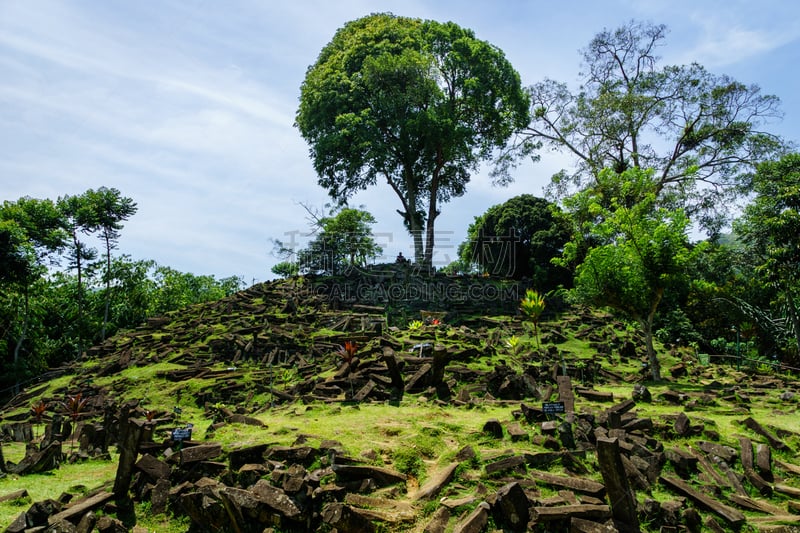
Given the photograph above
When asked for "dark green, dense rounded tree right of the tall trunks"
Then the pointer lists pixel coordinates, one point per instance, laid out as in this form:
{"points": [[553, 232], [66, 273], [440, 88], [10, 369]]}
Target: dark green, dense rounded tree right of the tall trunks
{"points": [[518, 239]]}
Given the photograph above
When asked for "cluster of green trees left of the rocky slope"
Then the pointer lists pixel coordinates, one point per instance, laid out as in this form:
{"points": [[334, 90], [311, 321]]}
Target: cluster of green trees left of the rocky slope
{"points": [[48, 314]]}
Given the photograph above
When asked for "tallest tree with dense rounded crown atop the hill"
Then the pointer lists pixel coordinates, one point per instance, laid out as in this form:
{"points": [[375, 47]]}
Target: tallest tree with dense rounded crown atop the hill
{"points": [[416, 103]]}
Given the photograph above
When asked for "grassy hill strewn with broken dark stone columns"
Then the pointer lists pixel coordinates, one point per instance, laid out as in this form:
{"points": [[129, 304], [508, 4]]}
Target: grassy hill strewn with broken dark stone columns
{"points": [[394, 401]]}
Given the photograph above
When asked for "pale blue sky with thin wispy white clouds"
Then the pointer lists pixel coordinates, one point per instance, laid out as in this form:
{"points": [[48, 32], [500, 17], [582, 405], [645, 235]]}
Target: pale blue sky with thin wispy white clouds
{"points": [[188, 106]]}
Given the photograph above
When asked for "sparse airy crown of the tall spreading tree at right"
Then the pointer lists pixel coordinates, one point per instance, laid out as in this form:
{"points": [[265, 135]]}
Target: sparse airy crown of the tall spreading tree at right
{"points": [[701, 132]]}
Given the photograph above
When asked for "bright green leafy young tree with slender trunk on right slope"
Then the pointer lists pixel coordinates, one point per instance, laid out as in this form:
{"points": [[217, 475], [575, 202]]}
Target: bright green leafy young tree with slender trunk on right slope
{"points": [[640, 252]]}
